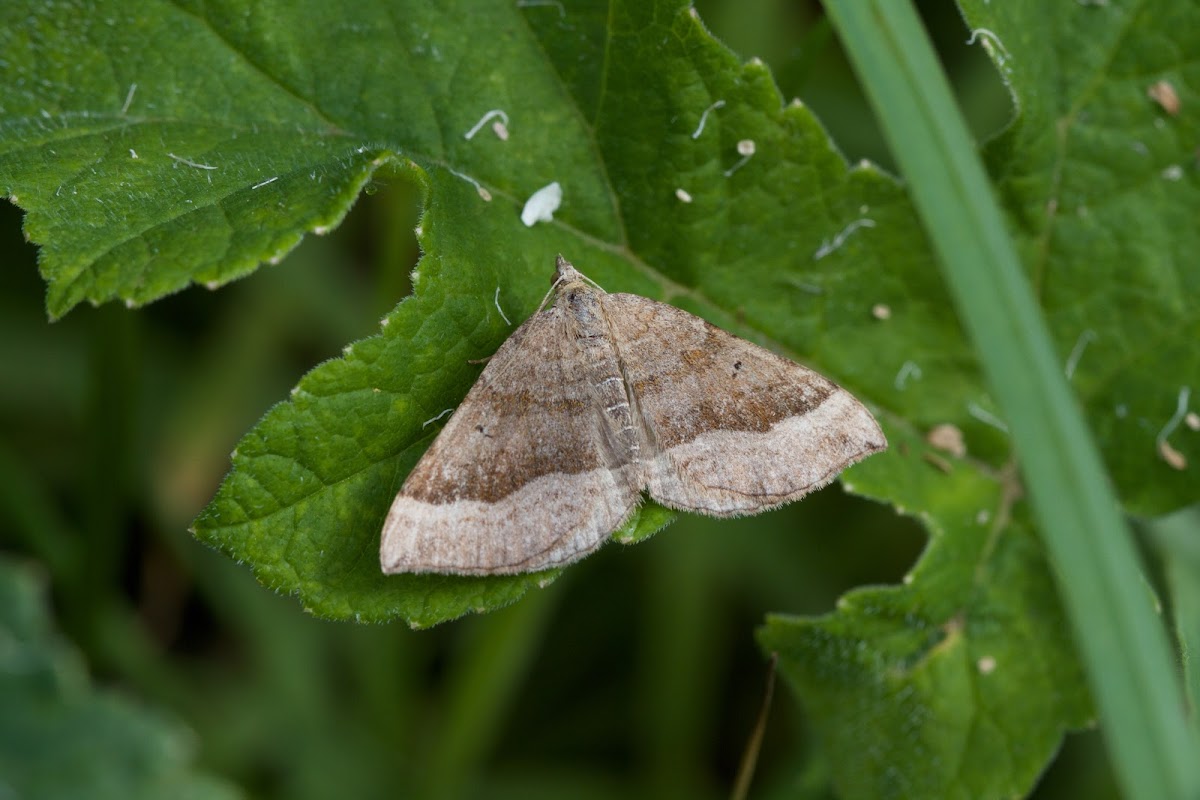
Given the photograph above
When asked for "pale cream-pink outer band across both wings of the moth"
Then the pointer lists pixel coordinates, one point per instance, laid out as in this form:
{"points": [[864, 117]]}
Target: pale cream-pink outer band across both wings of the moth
{"points": [[524, 531]]}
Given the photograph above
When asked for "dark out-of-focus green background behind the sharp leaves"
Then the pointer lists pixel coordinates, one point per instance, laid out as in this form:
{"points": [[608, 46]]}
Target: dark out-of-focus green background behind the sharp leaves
{"points": [[634, 676]]}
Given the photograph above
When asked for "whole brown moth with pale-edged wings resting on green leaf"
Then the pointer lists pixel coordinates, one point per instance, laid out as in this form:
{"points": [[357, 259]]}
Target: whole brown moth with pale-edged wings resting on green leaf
{"points": [[599, 399]]}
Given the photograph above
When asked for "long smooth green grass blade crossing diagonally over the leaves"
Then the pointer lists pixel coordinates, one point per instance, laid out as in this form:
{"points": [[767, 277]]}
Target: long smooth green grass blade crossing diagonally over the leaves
{"points": [[1121, 640]]}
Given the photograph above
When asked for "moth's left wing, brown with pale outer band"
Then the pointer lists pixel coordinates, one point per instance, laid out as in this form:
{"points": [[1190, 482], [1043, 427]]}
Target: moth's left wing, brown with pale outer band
{"points": [[518, 480]]}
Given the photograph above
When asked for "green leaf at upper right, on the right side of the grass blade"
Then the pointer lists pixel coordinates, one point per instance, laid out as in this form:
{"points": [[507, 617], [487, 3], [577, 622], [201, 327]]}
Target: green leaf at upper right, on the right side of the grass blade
{"points": [[1102, 190]]}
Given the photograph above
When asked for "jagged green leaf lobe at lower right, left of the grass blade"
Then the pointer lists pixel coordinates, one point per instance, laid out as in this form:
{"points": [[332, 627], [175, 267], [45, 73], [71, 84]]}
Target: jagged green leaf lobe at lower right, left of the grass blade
{"points": [[962, 682]]}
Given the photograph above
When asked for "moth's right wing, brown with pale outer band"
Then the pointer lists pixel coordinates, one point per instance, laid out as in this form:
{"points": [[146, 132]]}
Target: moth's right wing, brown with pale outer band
{"points": [[731, 429]]}
